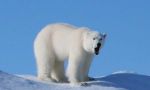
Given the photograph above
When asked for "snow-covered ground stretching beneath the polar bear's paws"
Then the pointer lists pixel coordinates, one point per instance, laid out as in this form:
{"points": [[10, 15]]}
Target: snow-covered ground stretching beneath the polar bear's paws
{"points": [[115, 81]]}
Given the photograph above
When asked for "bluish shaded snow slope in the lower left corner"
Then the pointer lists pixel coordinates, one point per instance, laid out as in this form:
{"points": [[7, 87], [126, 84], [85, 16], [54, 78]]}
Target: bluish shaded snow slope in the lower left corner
{"points": [[12, 82]]}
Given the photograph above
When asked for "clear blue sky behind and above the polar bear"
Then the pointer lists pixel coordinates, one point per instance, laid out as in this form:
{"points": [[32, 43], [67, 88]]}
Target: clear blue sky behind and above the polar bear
{"points": [[127, 23]]}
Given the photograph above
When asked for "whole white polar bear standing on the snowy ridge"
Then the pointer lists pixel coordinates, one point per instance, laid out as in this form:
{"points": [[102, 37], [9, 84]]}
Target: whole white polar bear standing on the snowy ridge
{"points": [[57, 42]]}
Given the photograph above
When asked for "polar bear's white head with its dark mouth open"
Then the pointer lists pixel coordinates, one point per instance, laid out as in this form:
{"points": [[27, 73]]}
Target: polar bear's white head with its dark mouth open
{"points": [[93, 41]]}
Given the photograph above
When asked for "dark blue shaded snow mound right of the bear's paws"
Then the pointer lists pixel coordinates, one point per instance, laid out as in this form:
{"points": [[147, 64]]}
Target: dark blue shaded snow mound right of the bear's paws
{"points": [[128, 81]]}
